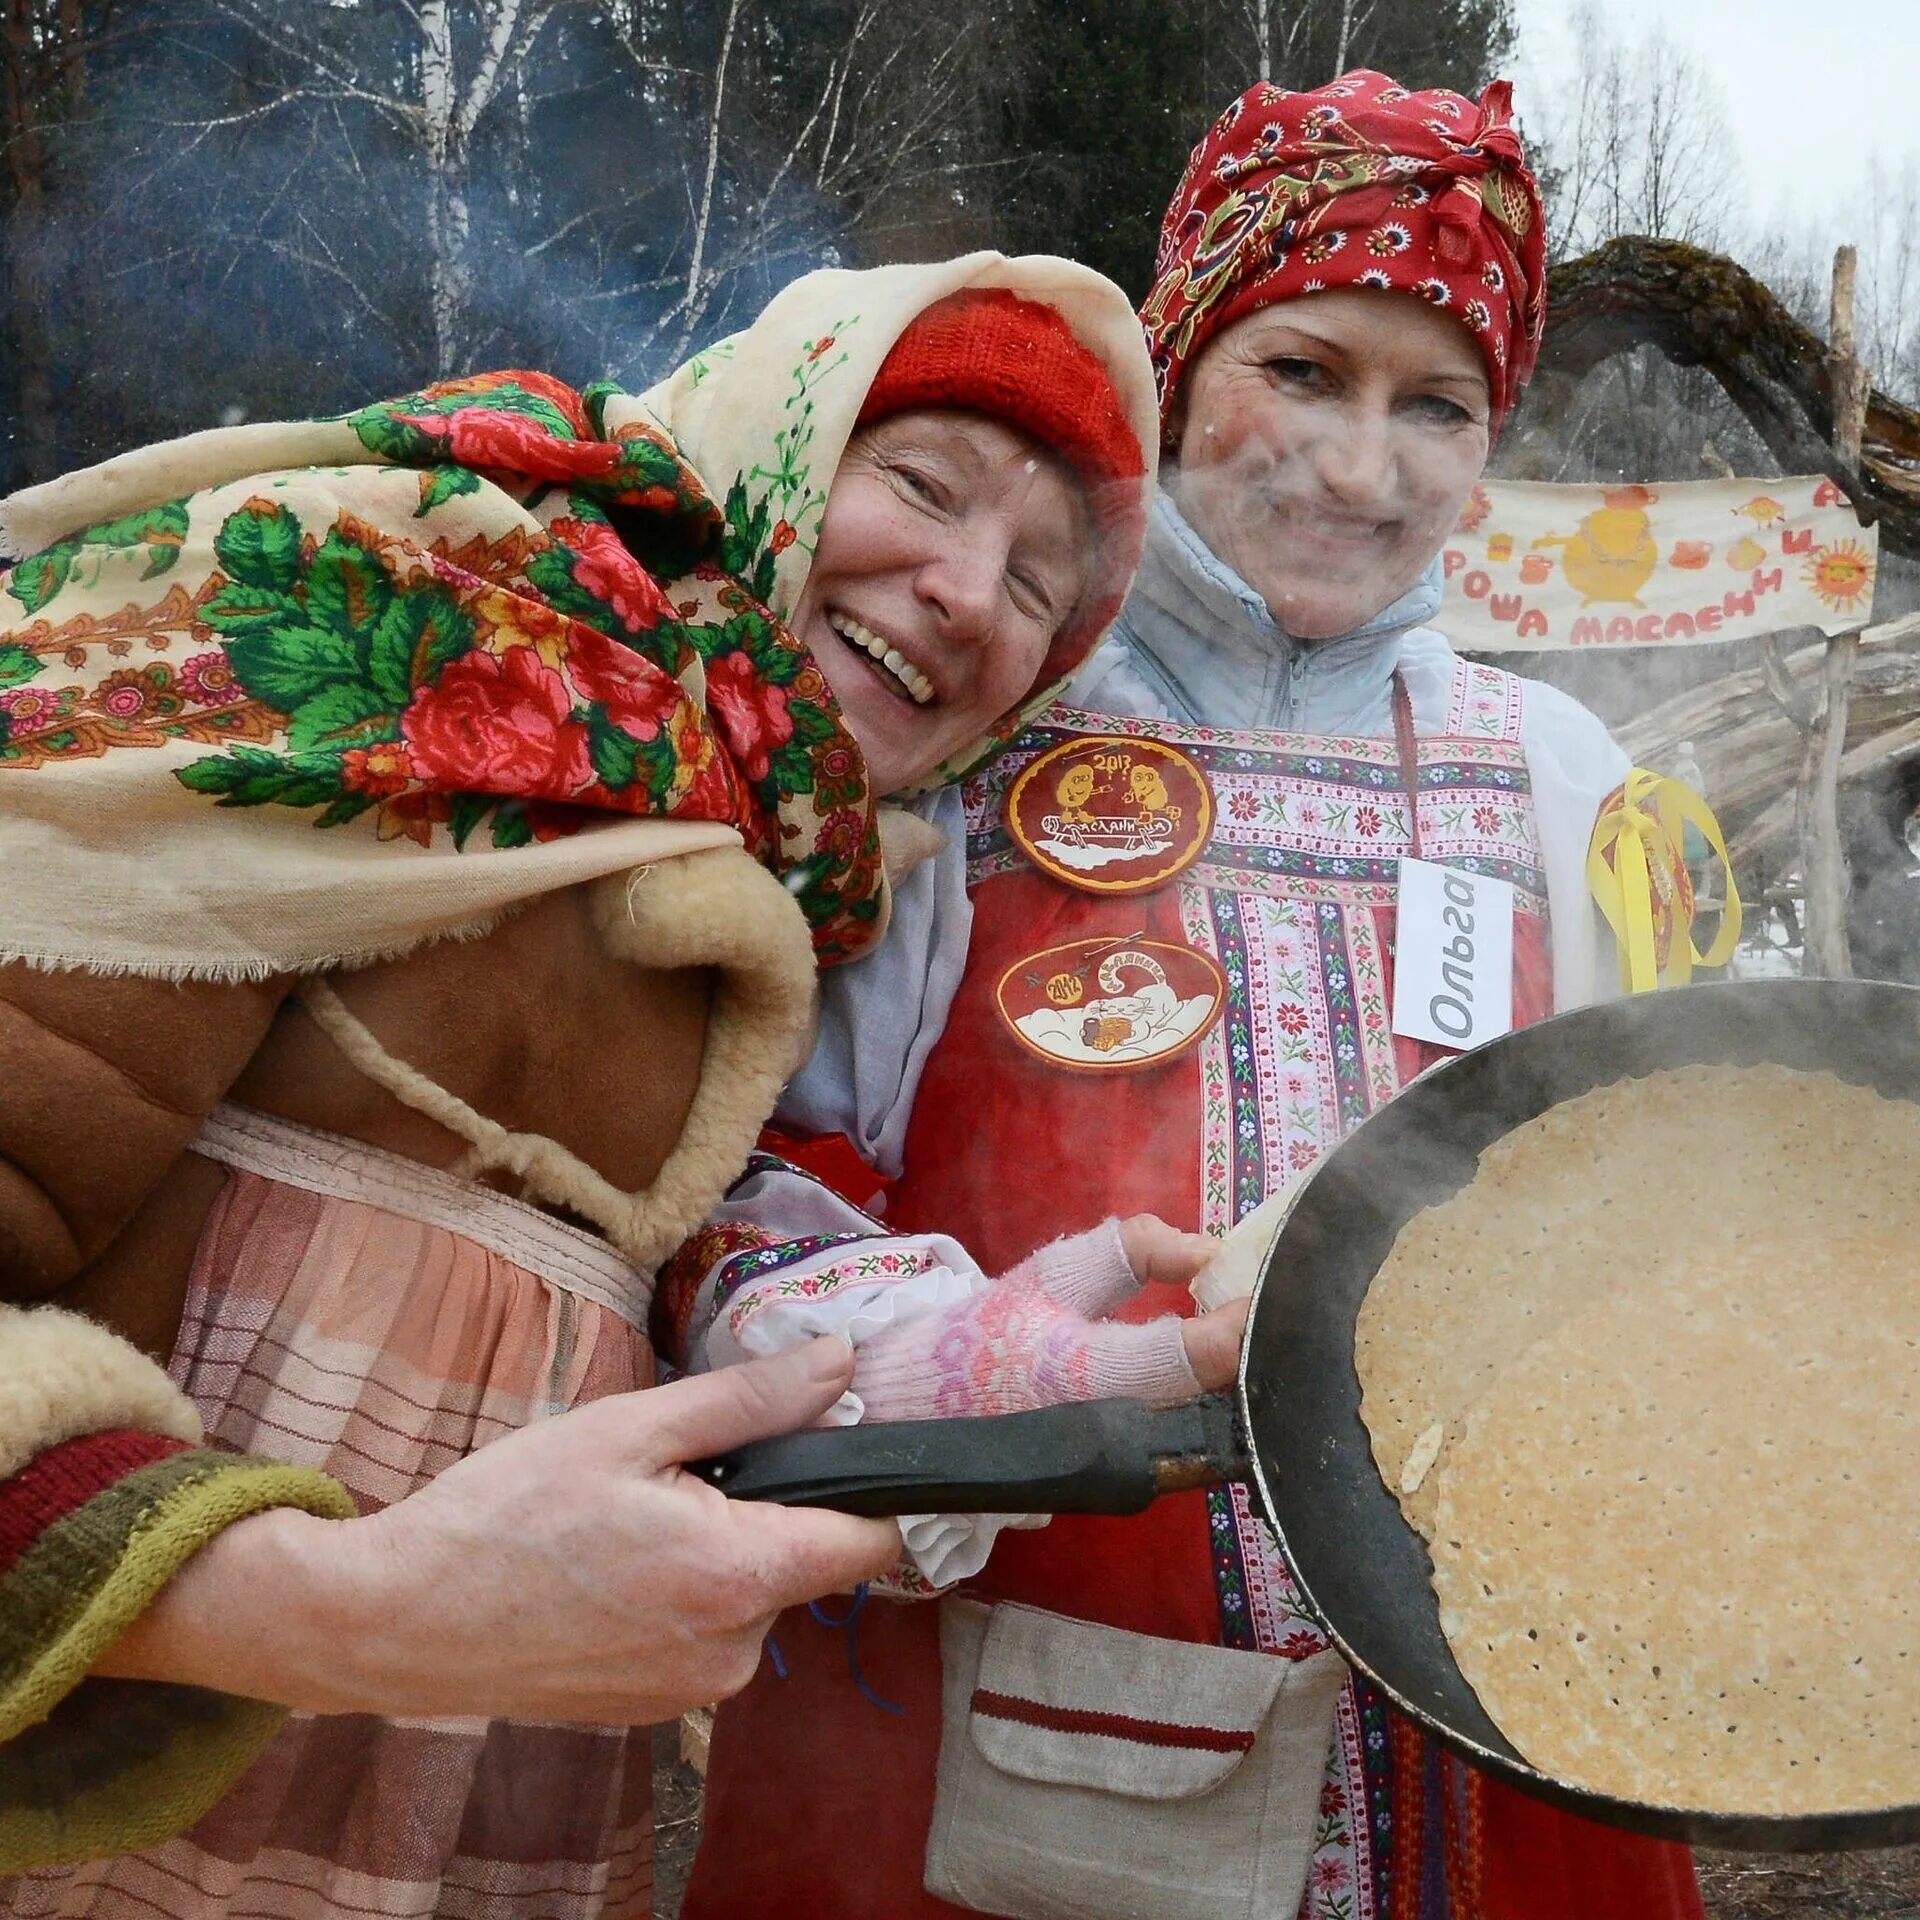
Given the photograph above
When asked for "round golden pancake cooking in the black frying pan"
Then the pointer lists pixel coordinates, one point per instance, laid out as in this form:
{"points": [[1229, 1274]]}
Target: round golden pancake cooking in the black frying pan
{"points": [[1650, 1387]]}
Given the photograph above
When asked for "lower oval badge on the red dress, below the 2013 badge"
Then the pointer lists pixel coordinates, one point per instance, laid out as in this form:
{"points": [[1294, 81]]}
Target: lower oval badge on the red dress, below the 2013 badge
{"points": [[1111, 1005]]}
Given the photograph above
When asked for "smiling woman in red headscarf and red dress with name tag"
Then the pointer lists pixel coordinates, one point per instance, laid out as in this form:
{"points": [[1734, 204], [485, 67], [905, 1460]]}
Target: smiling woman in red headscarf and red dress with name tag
{"points": [[1191, 871]]}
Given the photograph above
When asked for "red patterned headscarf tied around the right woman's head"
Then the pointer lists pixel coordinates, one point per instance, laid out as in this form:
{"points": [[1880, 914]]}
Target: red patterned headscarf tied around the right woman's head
{"points": [[1358, 183]]}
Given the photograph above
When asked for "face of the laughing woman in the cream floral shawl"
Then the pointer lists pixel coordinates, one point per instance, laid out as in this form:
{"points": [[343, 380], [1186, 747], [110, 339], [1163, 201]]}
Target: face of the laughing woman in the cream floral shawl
{"points": [[951, 552]]}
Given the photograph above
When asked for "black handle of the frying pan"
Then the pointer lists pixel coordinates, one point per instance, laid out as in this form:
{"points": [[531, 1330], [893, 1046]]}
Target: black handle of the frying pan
{"points": [[1095, 1456]]}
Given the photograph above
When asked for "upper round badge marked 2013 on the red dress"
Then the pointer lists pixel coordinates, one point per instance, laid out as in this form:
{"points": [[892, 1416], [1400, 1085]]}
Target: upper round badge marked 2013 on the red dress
{"points": [[1113, 815]]}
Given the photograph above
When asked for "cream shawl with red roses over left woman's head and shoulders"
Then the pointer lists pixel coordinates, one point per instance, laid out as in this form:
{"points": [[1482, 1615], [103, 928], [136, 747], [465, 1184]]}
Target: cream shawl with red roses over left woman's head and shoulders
{"points": [[450, 654]]}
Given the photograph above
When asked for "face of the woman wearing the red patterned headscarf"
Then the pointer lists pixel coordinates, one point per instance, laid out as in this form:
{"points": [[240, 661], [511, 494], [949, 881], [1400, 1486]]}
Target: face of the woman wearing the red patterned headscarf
{"points": [[1328, 448]]}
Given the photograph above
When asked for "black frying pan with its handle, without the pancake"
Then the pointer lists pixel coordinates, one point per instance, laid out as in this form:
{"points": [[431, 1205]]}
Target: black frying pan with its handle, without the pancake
{"points": [[1295, 1429]]}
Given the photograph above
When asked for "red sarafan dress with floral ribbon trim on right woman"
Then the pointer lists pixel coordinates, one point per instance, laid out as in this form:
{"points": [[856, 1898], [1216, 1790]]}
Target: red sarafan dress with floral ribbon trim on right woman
{"points": [[828, 1790]]}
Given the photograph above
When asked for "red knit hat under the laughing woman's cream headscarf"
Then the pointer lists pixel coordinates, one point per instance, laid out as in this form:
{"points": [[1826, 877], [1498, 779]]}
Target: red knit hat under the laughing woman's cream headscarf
{"points": [[986, 350]]}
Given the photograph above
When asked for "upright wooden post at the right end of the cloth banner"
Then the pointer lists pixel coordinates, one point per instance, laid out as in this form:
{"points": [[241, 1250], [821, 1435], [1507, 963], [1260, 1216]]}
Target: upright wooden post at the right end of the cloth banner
{"points": [[1817, 792]]}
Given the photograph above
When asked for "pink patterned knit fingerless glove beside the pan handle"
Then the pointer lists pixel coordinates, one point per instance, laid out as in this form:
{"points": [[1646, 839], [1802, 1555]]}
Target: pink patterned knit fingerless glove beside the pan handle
{"points": [[1028, 1341]]}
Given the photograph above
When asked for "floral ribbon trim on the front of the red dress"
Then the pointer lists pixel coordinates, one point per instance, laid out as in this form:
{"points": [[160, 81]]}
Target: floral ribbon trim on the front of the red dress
{"points": [[1291, 900]]}
